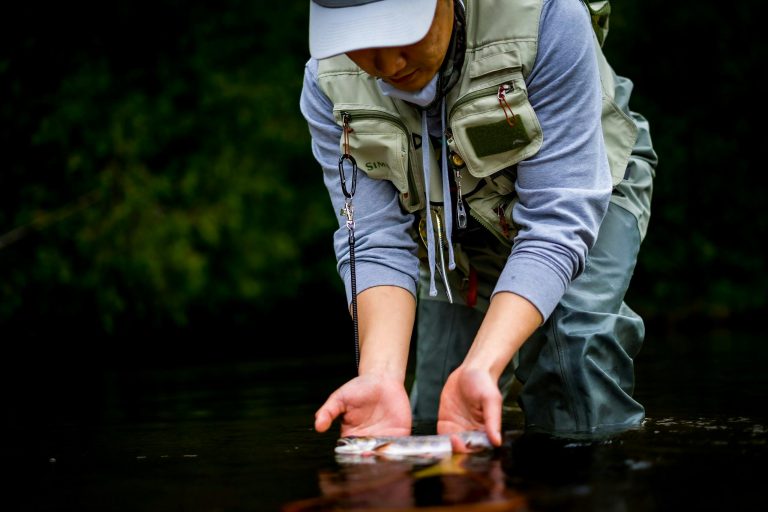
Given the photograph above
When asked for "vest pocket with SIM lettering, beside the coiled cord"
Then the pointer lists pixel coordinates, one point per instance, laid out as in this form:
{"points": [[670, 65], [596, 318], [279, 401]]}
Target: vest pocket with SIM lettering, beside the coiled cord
{"points": [[380, 143]]}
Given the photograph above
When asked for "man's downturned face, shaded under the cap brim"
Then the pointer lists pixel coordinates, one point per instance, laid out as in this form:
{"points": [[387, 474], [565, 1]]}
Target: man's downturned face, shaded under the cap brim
{"points": [[411, 67]]}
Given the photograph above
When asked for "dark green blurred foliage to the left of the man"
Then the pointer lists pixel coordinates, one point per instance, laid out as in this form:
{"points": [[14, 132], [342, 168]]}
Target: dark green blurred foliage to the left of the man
{"points": [[159, 167]]}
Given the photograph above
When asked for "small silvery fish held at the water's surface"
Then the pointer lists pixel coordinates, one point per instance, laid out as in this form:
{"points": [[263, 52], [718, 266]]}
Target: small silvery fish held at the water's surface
{"points": [[412, 446]]}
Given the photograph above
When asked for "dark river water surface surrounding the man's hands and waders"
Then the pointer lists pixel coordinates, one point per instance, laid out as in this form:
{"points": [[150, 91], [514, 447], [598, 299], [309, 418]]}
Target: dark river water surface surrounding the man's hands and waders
{"points": [[229, 436]]}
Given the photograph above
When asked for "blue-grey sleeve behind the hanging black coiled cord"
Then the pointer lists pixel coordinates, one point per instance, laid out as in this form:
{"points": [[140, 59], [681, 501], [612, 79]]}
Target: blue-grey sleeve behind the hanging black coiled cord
{"points": [[385, 251]]}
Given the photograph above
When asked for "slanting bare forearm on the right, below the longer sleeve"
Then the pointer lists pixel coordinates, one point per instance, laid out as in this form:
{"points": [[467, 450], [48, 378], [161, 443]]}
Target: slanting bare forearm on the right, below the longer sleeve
{"points": [[510, 320]]}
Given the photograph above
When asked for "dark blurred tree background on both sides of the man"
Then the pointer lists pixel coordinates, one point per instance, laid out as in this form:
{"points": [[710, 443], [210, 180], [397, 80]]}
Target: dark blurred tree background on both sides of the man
{"points": [[156, 174]]}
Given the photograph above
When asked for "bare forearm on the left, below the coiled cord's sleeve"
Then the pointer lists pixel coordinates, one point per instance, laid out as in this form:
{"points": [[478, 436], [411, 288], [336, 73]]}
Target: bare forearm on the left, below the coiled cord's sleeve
{"points": [[386, 316]]}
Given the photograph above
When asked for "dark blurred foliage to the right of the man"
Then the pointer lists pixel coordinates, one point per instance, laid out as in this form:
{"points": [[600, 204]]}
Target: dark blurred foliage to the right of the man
{"points": [[695, 67]]}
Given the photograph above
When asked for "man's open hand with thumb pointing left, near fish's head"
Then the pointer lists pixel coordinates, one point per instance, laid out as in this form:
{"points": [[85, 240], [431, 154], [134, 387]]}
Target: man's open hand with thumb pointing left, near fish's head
{"points": [[368, 405]]}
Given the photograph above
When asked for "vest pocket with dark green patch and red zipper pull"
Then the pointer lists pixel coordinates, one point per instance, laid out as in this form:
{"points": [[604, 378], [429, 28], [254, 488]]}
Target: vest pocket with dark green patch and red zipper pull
{"points": [[494, 127]]}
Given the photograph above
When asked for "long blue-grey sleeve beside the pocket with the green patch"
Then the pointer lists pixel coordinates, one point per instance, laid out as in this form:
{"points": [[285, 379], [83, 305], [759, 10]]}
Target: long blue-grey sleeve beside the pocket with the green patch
{"points": [[564, 189]]}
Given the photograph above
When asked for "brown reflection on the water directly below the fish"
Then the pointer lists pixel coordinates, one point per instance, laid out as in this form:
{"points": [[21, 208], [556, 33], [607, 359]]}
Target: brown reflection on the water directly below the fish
{"points": [[467, 482]]}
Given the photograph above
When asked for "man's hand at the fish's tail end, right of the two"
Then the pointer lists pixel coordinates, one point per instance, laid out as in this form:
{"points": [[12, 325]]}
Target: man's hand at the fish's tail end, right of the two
{"points": [[470, 400]]}
